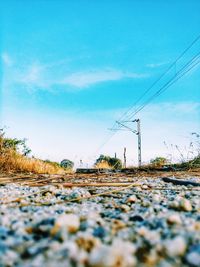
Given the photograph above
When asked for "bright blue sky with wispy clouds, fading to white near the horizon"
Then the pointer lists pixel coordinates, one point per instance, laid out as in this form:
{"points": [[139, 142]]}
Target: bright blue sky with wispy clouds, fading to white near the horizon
{"points": [[71, 68]]}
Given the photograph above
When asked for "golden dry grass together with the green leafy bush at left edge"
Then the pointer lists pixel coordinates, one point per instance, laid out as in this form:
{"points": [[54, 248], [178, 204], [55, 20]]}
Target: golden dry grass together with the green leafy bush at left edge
{"points": [[14, 158]]}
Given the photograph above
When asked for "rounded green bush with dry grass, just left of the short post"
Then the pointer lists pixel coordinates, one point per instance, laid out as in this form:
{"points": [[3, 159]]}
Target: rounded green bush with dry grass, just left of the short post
{"points": [[108, 162]]}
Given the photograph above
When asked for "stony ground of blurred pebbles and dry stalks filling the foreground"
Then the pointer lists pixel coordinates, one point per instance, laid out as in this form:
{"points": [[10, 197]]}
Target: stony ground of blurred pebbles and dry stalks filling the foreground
{"points": [[146, 223]]}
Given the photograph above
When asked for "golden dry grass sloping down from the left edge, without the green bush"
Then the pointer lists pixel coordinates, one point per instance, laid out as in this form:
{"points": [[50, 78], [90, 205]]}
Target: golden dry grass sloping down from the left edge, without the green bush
{"points": [[12, 161]]}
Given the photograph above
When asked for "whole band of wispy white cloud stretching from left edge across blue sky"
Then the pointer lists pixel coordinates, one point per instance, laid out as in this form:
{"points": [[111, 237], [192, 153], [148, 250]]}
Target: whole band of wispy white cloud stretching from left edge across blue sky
{"points": [[38, 75]]}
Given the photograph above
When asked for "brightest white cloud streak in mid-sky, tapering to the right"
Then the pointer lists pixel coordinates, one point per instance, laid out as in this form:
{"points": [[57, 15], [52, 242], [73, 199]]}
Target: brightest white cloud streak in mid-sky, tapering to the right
{"points": [[85, 79]]}
